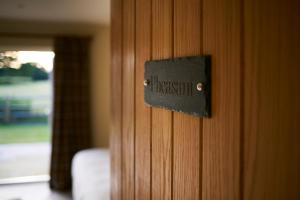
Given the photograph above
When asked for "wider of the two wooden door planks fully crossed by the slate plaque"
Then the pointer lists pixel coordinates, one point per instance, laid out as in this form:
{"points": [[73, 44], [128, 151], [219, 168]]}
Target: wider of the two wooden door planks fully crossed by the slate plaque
{"points": [[187, 129]]}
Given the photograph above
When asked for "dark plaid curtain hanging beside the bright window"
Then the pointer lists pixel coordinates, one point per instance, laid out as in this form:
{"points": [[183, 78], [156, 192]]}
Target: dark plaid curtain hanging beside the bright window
{"points": [[71, 108]]}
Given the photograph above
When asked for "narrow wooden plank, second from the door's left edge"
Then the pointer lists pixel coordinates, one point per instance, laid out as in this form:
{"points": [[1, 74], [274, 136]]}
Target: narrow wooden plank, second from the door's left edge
{"points": [[128, 104]]}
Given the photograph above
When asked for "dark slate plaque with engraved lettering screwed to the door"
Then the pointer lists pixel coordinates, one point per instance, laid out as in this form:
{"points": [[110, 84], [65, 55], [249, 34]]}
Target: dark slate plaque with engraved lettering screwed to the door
{"points": [[180, 84]]}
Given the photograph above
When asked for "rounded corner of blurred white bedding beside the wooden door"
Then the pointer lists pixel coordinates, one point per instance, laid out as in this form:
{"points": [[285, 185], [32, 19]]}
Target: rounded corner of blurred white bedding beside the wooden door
{"points": [[91, 175]]}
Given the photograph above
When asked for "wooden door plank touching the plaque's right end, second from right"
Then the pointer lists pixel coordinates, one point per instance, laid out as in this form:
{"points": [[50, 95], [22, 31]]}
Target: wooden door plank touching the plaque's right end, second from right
{"points": [[221, 133]]}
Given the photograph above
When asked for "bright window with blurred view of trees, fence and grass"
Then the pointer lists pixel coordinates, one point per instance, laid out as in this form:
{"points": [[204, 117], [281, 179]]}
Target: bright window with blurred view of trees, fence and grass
{"points": [[25, 107]]}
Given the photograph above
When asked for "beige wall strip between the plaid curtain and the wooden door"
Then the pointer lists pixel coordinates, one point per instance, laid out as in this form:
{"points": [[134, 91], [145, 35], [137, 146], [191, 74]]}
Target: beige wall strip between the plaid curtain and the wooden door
{"points": [[100, 76]]}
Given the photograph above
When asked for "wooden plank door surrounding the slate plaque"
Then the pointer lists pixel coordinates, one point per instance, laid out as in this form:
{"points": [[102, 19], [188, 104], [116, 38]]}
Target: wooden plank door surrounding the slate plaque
{"points": [[249, 149]]}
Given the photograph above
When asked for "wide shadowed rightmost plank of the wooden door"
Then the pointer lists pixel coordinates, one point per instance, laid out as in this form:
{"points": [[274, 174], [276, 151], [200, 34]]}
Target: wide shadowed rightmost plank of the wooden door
{"points": [[272, 85]]}
